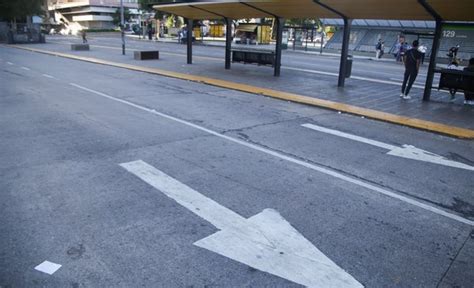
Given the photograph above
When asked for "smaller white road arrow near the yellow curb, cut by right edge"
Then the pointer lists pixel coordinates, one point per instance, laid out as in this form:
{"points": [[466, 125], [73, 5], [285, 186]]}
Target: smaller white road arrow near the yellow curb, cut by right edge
{"points": [[406, 151]]}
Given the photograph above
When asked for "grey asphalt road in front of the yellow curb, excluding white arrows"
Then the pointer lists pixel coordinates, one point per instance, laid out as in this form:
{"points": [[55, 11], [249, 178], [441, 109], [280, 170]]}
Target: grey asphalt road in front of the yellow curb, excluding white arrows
{"points": [[66, 126]]}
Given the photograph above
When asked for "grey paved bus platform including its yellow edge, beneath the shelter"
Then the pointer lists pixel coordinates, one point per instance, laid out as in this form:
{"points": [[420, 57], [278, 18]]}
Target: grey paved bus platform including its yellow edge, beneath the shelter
{"points": [[372, 100]]}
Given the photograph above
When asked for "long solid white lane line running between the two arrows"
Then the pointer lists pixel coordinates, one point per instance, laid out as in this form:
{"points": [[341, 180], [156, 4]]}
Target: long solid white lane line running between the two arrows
{"points": [[290, 159]]}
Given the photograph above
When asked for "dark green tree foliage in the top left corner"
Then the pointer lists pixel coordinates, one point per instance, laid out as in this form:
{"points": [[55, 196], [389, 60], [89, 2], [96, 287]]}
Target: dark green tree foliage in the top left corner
{"points": [[11, 9]]}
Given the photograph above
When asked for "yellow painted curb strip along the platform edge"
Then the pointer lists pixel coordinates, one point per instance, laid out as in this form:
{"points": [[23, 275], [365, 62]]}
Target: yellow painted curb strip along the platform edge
{"points": [[369, 113]]}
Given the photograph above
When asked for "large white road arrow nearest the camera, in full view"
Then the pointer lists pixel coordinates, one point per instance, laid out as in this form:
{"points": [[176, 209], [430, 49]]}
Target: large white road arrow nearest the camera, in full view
{"points": [[265, 241]]}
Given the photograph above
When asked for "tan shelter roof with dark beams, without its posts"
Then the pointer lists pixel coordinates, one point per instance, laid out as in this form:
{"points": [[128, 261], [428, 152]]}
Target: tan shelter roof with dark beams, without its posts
{"points": [[452, 10]]}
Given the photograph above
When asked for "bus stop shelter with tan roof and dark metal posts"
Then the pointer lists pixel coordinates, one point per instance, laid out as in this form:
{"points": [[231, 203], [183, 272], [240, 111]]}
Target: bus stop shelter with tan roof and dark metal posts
{"points": [[441, 11]]}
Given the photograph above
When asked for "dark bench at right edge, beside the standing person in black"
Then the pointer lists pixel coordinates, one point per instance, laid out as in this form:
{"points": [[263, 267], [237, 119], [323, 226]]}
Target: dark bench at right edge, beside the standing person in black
{"points": [[455, 80]]}
